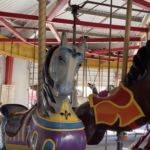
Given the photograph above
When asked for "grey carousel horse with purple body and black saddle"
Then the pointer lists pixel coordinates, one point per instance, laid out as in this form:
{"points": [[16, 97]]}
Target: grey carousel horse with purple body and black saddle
{"points": [[51, 124]]}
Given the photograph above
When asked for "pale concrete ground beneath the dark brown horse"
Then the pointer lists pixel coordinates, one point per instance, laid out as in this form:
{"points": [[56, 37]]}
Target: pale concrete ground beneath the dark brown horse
{"points": [[112, 144]]}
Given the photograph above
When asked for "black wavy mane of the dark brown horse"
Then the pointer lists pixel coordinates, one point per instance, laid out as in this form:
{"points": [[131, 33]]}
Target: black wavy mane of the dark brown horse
{"points": [[139, 67]]}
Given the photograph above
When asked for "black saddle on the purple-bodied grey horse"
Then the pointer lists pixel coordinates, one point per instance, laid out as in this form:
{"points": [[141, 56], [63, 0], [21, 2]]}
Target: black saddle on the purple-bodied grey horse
{"points": [[15, 114]]}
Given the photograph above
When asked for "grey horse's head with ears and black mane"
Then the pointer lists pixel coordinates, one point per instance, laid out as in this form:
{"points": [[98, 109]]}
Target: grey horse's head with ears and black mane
{"points": [[61, 64]]}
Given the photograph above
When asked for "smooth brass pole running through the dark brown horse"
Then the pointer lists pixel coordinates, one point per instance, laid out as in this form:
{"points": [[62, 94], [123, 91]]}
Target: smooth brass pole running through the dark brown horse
{"points": [[125, 59]]}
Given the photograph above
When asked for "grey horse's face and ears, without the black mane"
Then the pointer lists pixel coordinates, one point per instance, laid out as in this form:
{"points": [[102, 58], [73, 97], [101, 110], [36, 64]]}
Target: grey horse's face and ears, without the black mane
{"points": [[64, 64]]}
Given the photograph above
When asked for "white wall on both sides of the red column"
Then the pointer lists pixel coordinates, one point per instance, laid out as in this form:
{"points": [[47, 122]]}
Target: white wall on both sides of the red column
{"points": [[20, 79]]}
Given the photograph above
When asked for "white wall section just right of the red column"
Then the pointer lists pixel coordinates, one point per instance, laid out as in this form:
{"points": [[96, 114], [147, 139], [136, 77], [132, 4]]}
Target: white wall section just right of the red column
{"points": [[20, 79]]}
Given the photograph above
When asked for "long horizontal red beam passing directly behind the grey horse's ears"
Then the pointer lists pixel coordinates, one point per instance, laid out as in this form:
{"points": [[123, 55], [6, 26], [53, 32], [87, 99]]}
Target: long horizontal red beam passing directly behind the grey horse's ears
{"points": [[54, 41]]}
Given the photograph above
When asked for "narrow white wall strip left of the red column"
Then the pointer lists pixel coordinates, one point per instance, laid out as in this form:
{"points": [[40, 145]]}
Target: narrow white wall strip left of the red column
{"points": [[2, 72]]}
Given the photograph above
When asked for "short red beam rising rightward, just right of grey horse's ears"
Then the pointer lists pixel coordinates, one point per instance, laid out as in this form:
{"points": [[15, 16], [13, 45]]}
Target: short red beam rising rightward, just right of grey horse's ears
{"points": [[113, 50]]}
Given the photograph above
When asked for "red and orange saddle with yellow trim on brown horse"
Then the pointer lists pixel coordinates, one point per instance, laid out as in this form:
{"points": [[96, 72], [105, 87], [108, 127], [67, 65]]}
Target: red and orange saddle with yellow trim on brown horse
{"points": [[120, 105]]}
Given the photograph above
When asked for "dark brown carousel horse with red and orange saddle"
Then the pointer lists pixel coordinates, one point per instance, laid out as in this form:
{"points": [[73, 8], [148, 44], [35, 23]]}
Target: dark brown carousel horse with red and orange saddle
{"points": [[126, 109]]}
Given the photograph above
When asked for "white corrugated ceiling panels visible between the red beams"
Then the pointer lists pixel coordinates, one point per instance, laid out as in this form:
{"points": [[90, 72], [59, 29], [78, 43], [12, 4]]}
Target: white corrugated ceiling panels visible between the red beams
{"points": [[91, 13]]}
